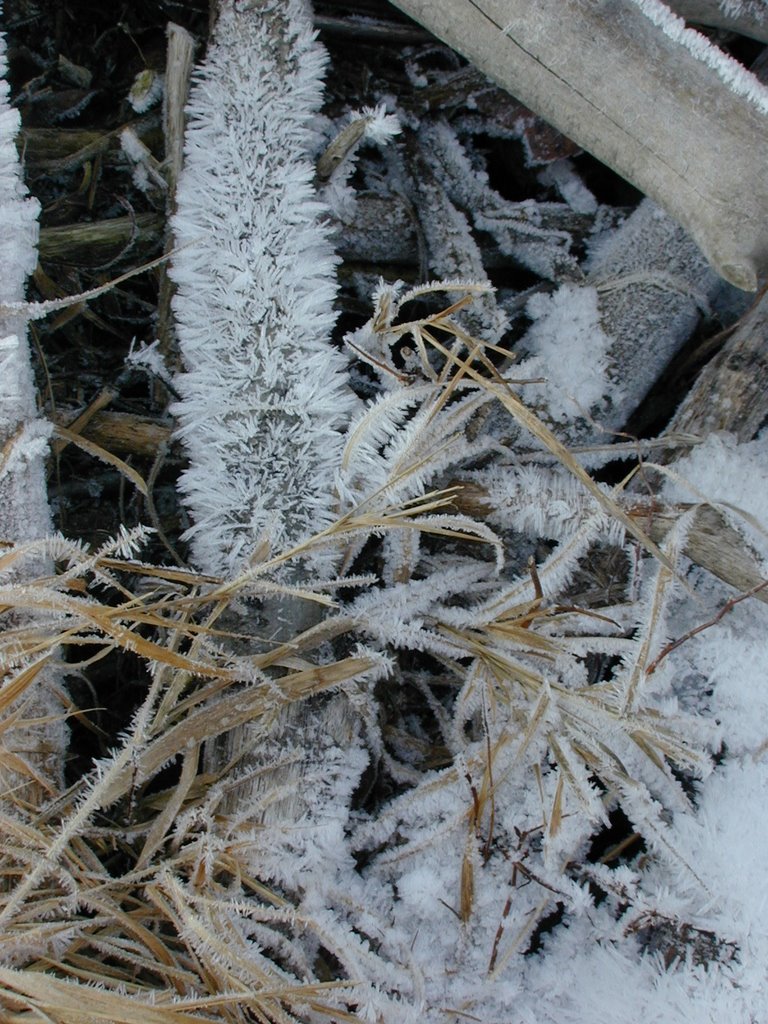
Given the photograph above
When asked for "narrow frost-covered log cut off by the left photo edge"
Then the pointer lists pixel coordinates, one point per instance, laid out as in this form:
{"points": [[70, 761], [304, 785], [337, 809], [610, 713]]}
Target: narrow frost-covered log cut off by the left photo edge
{"points": [[32, 749]]}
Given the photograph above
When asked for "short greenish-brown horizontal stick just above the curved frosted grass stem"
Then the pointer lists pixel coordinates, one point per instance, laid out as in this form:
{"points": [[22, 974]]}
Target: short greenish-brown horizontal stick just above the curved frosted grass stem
{"points": [[101, 242]]}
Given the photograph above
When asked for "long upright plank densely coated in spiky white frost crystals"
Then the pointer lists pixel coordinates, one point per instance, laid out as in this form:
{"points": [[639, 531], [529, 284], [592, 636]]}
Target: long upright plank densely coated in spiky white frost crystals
{"points": [[264, 398]]}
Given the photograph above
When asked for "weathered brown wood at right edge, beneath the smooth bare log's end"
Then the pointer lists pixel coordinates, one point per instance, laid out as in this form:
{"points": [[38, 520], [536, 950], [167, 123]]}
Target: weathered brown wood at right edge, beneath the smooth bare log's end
{"points": [[732, 393]]}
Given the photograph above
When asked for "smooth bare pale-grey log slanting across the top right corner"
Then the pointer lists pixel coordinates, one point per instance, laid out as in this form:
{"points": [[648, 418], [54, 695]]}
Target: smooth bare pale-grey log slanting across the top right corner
{"points": [[642, 102]]}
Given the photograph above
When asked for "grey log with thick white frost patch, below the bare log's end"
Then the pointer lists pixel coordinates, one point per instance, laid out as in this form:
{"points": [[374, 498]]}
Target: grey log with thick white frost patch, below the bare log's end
{"points": [[602, 345]]}
